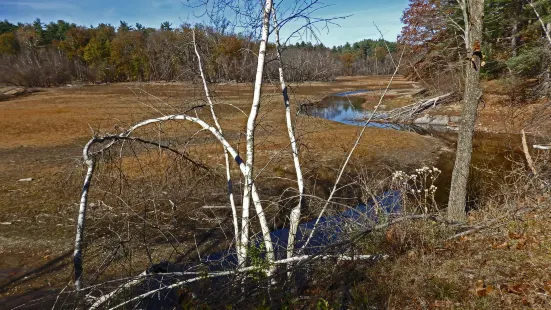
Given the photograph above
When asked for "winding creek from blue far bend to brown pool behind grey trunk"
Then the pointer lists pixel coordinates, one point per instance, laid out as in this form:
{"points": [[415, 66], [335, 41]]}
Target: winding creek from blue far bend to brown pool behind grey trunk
{"points": [[492, 152]]}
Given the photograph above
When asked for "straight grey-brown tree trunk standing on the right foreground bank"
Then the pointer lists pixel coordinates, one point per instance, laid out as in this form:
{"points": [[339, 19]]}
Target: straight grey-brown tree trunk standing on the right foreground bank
{"points": [[473, 14]]}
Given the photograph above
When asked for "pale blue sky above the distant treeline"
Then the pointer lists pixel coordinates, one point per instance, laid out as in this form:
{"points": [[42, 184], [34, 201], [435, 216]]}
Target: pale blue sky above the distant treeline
{"points": [[150, 13]]}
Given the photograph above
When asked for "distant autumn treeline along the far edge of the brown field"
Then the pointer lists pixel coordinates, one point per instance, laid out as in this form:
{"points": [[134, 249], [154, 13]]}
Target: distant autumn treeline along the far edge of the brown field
{"points": [[51, 54]]}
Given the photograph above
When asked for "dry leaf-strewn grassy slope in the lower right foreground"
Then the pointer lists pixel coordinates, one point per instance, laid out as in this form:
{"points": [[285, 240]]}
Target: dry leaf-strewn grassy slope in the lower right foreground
{"points": [[504, 264]]}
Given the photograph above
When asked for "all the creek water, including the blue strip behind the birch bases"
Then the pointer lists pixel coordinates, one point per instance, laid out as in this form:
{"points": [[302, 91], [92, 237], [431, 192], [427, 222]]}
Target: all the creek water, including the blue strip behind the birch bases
{"points": [[491, 154]]}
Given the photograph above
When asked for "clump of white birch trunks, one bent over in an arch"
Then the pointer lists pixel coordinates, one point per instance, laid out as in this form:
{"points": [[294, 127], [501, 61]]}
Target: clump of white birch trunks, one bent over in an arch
{"points": [[241, 223]]}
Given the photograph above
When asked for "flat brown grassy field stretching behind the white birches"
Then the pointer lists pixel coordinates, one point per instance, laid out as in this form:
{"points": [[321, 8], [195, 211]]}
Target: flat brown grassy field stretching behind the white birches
{"points": [[42, 135]]}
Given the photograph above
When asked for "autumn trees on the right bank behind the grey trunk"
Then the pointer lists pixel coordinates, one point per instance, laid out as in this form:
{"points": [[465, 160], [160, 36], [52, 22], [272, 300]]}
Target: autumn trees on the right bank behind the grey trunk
{"points": [[514, 47]]}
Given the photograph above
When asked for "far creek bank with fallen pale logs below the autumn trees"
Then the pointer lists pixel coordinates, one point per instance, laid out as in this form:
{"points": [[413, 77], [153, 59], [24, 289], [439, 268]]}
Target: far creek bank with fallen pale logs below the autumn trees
{"points": [[497, 113]]}
